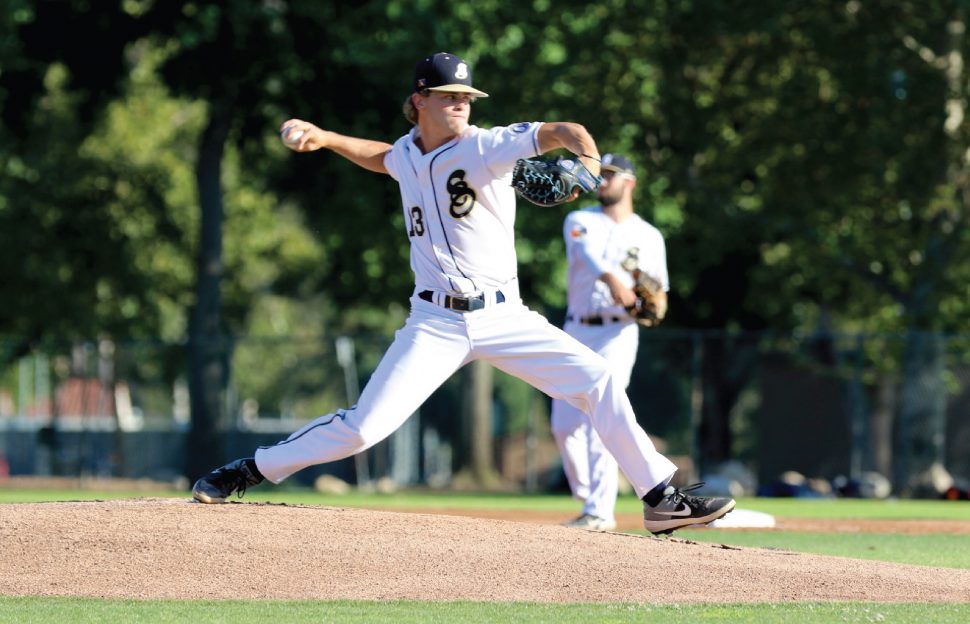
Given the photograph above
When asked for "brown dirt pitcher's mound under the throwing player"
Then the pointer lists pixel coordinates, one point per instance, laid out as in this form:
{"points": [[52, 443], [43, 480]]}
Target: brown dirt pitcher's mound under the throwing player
{"points": [[175, 549]]}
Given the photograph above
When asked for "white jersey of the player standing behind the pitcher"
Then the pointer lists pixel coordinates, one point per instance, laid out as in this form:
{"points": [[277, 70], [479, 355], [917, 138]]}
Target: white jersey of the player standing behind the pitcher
{"points": [[596, 244]]}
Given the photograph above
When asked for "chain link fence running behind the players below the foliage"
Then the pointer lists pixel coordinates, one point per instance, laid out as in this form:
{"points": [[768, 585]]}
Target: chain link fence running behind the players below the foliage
{"points": [[824, 405]]}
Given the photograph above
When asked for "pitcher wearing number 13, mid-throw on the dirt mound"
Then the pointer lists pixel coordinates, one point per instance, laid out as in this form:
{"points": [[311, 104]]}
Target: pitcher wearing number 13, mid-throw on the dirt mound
{"points": [[459, 209]]}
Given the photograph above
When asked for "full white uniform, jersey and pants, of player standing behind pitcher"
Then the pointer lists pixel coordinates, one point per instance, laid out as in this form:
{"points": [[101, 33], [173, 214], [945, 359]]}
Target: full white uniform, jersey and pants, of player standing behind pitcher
{"points": [[596, 244]]}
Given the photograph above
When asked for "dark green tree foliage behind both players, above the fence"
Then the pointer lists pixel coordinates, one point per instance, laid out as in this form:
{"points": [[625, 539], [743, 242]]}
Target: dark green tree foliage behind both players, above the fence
{"points": [[807, 162]]}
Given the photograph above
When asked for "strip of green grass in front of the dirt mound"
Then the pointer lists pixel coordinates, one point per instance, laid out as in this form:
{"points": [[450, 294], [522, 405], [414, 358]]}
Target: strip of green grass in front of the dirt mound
{"points": [[84, 611]]}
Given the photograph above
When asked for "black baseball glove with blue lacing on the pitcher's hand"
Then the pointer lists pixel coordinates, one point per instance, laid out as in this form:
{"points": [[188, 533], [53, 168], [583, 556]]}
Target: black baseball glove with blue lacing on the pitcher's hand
{"points": [[546, 183]]}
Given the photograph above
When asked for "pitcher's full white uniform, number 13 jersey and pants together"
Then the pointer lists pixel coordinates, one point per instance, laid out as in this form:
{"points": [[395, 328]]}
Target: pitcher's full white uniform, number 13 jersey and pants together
{"points": [[459, 210]]}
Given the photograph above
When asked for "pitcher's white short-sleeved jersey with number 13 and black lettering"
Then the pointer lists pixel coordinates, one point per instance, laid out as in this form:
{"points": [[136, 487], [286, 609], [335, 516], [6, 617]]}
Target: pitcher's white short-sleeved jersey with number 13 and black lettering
{"points": [[459, 206]]}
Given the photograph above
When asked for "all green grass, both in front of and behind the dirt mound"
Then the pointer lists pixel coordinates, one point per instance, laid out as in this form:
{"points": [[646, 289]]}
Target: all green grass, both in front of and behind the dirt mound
{"points": [[935, 550]]}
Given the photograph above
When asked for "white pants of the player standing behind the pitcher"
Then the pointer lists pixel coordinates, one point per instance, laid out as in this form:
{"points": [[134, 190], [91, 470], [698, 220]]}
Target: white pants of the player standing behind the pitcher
{"points": [[590, 468]]}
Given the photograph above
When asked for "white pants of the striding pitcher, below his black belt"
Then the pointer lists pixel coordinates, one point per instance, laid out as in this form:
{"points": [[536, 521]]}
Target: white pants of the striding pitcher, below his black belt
{"points": [[433, 344]]}
